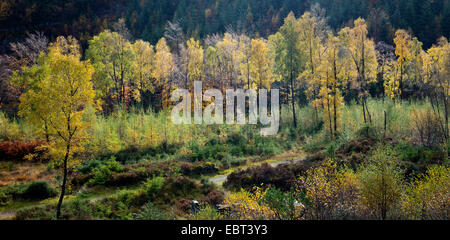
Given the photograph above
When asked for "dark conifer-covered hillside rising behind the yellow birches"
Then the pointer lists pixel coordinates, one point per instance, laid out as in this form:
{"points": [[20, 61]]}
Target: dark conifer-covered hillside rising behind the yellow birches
{"points": [[147, 19]]}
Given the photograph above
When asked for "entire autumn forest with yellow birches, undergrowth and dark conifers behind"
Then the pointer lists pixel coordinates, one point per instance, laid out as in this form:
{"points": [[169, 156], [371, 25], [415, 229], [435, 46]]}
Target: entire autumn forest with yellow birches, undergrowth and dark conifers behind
{"points": [[85, 110]]}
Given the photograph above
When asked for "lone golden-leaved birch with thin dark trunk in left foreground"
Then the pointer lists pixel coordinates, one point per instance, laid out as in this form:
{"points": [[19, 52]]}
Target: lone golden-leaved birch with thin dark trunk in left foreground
{"points": [[63, 99]]}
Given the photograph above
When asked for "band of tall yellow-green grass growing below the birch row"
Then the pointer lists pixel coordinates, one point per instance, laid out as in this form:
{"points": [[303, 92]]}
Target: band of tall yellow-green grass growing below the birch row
{"points": [[137, 129]]}
